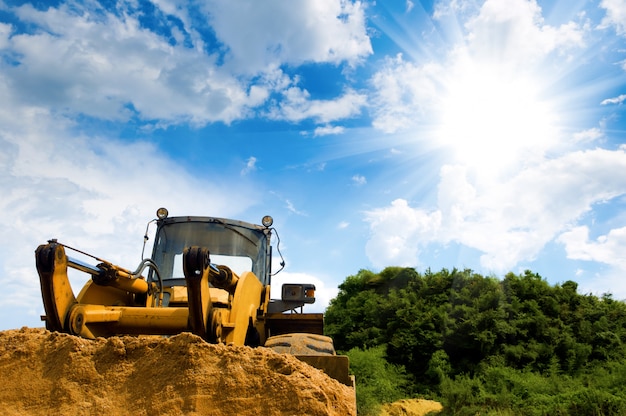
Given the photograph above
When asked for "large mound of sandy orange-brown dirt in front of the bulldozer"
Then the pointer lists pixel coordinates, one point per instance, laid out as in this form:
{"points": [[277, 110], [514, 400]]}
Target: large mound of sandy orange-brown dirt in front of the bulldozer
{"points": [[44, 373]]}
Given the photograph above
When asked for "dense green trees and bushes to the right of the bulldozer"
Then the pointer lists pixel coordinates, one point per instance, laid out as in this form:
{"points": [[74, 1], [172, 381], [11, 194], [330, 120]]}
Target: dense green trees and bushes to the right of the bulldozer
{"points": [[481, 345]]}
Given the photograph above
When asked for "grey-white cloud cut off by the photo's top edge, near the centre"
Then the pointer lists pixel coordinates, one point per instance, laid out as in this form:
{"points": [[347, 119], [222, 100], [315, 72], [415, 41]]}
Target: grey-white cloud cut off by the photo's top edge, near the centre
{"points": [[266, 34]]}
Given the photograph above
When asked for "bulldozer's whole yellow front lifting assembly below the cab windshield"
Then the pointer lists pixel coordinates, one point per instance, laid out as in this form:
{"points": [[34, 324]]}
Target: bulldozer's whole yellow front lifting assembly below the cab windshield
{"points": [[116, 302]]}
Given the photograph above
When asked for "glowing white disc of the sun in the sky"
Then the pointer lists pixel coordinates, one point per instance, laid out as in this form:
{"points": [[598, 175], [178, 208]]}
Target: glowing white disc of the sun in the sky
{"points": [[493, 116]]}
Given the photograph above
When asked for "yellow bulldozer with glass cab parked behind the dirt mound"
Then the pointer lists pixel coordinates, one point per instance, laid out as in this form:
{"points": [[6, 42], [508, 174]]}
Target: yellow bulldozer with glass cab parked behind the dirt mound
{"points": [[208, 276]]}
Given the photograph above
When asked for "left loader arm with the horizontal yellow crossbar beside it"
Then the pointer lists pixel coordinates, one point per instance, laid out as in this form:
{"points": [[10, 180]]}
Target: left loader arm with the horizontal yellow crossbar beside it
{"points": [[101, 309]]}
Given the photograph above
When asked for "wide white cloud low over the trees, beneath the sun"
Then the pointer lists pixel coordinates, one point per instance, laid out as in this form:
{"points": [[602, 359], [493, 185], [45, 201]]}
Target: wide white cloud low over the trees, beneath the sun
{"points": [[510, 220]]}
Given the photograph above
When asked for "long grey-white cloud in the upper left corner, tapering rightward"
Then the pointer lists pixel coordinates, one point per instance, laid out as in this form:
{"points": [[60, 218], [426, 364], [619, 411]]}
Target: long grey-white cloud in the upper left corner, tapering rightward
{"points": [[111, 68]]}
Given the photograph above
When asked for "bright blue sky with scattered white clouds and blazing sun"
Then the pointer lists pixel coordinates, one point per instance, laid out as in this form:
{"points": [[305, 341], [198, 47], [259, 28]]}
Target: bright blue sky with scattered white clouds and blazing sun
{"points": [[469, 134]]}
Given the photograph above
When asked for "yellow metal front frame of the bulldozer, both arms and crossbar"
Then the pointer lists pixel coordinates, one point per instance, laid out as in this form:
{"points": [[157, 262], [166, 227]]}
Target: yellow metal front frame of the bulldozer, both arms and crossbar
{"points": [[101, 311]]}
